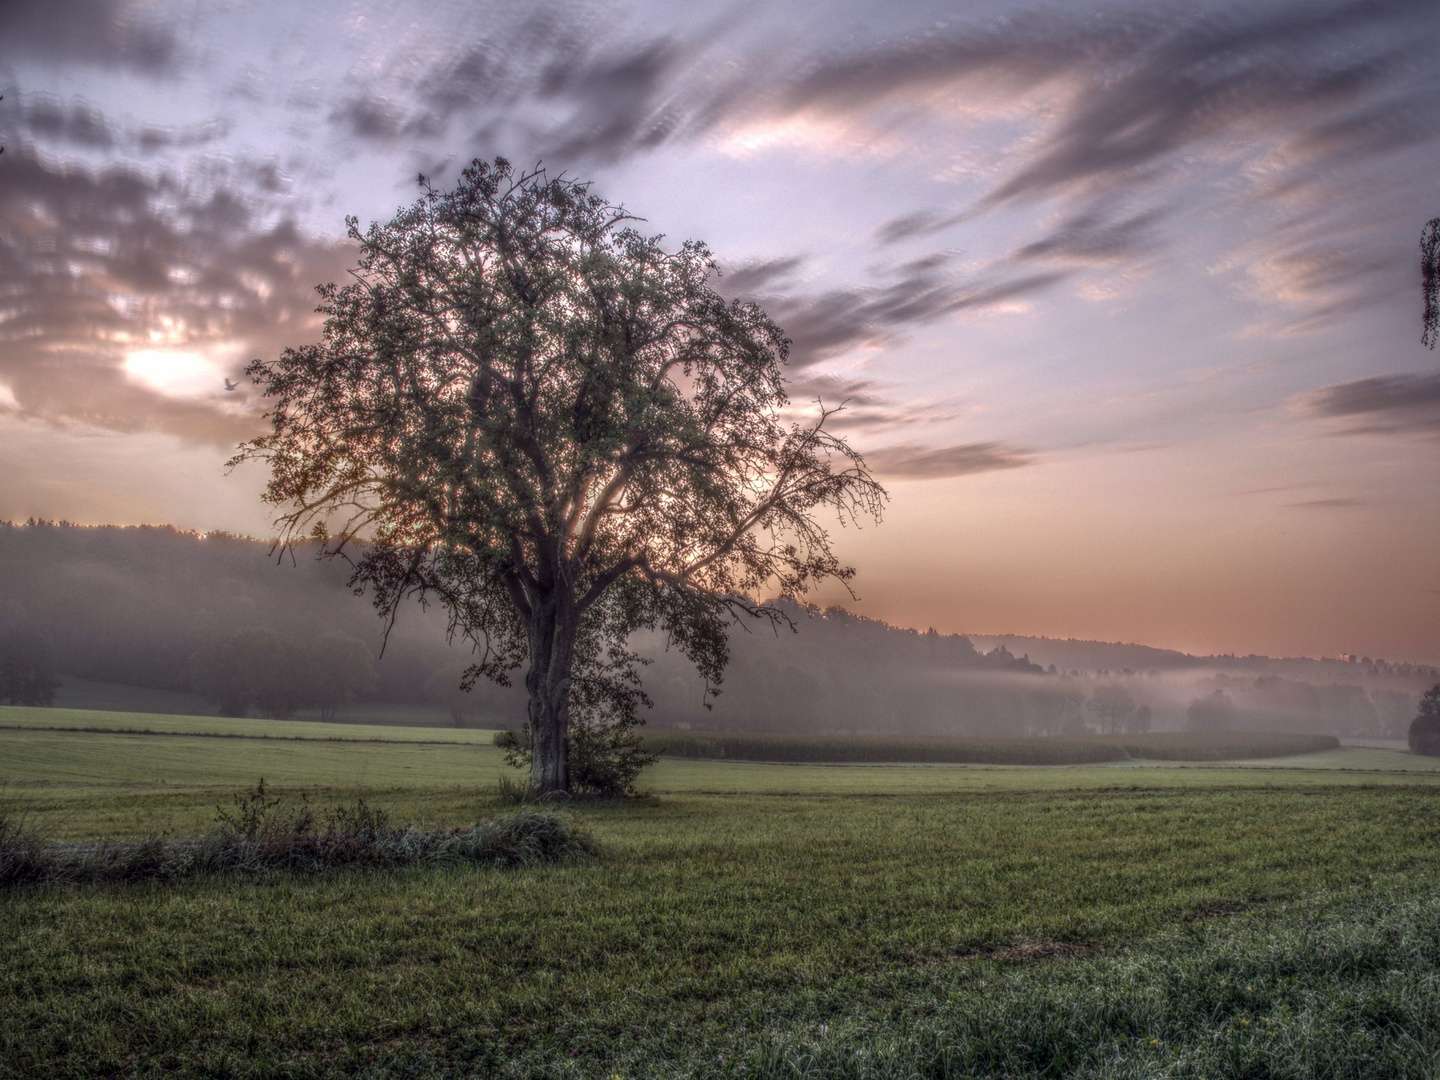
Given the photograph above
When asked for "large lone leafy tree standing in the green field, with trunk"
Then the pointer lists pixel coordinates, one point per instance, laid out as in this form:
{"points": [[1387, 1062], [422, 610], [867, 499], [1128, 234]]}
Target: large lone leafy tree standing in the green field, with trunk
{"points": [[531, 413]]}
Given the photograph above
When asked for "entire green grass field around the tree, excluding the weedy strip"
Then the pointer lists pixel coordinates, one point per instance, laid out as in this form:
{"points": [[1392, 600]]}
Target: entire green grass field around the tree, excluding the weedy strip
{"points": [[1131, 919]]}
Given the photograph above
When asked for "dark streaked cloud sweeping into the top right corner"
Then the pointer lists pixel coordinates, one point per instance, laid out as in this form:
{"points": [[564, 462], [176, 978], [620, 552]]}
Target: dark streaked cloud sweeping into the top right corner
{"points": [[1137, 87]]}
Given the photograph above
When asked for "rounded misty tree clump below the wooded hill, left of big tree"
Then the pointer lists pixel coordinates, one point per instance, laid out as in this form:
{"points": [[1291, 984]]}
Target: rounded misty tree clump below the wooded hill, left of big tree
{"points": [[258, 670]]}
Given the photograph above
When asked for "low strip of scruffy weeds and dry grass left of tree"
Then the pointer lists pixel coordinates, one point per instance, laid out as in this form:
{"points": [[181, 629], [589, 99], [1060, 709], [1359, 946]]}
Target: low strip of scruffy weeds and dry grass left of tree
{"points": [[263, 834]]}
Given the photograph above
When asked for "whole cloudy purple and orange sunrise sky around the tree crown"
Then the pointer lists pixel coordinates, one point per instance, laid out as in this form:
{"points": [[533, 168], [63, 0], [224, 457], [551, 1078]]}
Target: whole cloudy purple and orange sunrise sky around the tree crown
{"points": [[1122, 299]]}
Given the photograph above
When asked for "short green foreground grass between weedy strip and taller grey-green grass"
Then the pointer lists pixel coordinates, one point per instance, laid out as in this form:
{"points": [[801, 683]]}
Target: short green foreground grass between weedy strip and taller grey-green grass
{"points": [[708, 922]]}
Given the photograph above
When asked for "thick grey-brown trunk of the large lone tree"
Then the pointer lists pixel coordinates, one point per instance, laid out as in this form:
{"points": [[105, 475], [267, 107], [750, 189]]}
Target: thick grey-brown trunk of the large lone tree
{"points": [[552, 633]]}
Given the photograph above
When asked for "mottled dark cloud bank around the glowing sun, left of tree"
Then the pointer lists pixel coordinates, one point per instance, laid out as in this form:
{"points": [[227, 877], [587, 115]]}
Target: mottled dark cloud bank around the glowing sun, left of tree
{"points": [[117, 283]]}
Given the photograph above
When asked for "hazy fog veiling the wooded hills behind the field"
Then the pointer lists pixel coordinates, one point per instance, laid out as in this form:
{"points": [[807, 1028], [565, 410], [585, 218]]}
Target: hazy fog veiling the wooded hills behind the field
{"points": [[145, 608]]}
